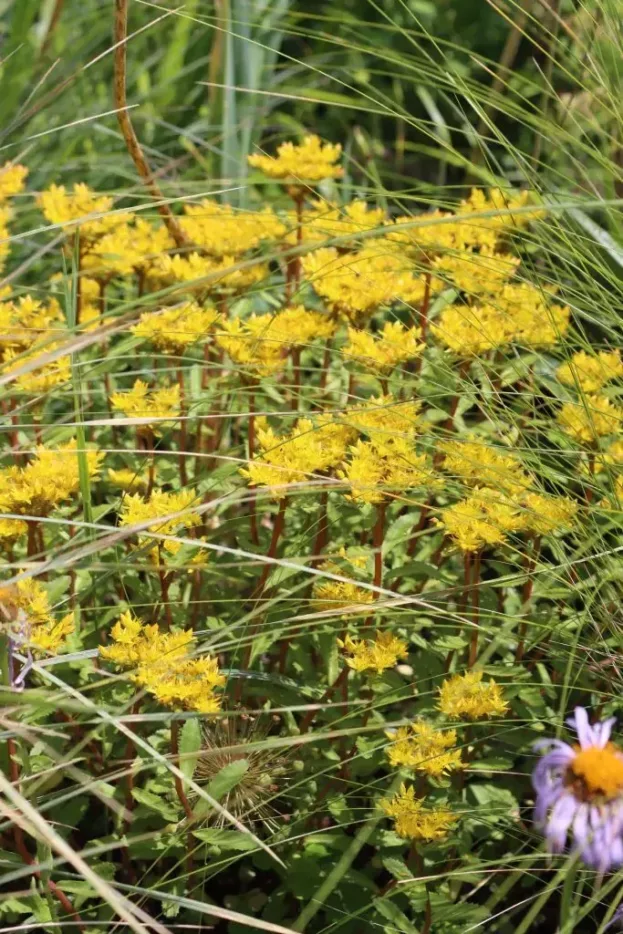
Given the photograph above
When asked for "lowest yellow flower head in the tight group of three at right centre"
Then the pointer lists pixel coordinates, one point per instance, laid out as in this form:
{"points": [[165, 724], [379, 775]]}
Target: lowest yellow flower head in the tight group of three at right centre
{"points": [[482, 519]]}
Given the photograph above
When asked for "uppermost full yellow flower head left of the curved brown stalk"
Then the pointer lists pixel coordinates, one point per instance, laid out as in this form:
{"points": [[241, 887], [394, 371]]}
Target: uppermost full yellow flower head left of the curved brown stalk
{"points": [[77, 210]]}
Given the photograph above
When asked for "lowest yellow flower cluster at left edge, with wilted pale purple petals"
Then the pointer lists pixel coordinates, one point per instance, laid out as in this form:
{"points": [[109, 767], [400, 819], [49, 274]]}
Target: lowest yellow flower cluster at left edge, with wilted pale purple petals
{"points": [[26, 609]]}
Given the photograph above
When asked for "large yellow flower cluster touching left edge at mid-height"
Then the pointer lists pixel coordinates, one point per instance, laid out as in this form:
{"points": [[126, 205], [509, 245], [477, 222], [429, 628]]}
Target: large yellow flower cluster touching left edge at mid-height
{"points": [[48, 480]]}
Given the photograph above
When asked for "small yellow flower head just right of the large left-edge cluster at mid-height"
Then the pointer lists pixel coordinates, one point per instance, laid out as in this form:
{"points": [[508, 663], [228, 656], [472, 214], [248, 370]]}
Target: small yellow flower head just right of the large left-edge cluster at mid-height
{"points": [[135, 510]]}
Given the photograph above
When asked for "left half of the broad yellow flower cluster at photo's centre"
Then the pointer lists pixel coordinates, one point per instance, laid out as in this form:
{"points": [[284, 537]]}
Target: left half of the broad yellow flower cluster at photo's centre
{"points": [[313, 447]]}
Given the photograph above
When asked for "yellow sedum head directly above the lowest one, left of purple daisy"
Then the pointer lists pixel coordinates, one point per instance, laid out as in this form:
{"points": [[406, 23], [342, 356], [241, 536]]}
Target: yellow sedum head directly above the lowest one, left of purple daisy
{"points": [[423, 748]]}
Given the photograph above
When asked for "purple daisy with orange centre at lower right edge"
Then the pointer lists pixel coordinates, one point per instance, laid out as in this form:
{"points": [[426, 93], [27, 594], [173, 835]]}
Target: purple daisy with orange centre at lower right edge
{"points": [[579, 793]]}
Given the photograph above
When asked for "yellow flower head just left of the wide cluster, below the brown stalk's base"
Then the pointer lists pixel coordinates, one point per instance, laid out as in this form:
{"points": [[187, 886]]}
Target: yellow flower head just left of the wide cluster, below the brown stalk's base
{"points": [[173, 330]]}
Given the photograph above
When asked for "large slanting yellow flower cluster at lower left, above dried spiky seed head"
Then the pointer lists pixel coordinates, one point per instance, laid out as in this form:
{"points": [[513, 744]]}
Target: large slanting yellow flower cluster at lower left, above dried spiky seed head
{"points": [[162, 665]]}
